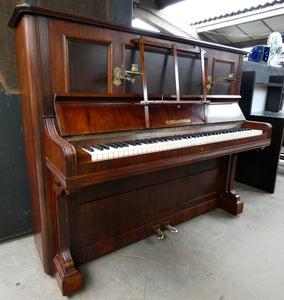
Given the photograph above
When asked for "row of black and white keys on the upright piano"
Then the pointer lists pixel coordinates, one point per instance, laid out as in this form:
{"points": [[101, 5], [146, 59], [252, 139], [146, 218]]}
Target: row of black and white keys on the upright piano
{"points": [[142, 146]]}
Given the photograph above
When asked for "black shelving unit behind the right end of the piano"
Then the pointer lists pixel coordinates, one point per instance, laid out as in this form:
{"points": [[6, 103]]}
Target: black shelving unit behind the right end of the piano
{"points": [[262, 101]]}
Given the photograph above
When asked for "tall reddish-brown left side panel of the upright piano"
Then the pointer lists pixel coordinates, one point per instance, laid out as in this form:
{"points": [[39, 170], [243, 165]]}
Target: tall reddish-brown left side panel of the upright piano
{"points": [[32, 103]]}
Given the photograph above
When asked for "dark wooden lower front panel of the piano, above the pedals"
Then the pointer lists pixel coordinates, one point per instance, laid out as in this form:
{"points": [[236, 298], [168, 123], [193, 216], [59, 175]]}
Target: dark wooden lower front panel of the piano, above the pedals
{"points": [[109, 220]]}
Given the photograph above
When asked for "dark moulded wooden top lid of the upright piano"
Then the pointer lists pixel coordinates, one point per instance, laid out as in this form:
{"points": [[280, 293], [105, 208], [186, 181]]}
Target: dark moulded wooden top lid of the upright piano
{"points": [[24, 9]]}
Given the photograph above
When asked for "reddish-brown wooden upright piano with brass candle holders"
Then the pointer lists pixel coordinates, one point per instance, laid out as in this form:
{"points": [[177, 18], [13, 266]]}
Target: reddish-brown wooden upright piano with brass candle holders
{"points": [[128, 133]]}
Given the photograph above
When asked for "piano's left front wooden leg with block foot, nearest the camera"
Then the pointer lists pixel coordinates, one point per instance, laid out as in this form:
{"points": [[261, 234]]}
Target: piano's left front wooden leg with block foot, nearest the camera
{"points": [[68, 277]]}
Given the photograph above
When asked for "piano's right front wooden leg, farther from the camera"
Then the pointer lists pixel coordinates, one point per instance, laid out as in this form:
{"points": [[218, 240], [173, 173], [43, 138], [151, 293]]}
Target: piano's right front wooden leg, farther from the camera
{"points": [[229, 200]]}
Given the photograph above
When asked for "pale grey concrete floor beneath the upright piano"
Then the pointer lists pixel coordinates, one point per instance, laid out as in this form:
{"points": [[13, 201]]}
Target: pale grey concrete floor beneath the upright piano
{"points": [[214, 256]]}
